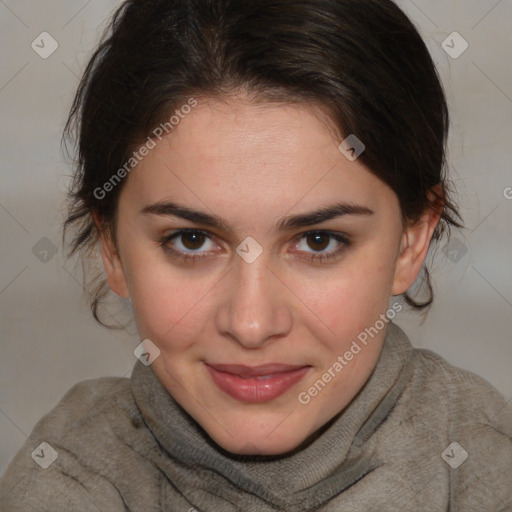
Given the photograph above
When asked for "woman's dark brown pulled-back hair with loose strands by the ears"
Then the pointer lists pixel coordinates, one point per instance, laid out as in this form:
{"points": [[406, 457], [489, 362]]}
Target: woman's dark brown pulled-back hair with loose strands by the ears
{"points": [[363, 60]]}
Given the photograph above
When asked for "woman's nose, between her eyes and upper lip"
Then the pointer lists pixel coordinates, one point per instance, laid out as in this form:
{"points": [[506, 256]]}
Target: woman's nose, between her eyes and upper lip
{"points": [[254, 308]]}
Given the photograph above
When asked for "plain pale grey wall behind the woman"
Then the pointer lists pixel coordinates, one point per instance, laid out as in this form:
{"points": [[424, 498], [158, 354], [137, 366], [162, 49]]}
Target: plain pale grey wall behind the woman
{"points": [[49, 339]]}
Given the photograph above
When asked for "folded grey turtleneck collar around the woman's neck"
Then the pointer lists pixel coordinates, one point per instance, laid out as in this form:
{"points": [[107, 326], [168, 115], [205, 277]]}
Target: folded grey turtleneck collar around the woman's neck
{"points": [[330, 462]]}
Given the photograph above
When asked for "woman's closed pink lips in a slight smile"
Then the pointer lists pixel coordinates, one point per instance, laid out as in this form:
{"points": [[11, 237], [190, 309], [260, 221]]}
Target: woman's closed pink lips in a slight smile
{"points": [[257, 383]]}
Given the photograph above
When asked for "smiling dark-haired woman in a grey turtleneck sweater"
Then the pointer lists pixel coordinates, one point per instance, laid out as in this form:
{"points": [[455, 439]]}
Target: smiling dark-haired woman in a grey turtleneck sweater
{"points": [[264, 178]]}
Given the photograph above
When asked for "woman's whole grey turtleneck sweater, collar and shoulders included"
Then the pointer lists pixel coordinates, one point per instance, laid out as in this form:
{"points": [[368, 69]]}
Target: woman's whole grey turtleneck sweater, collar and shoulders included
{"points": [[421, 435]]}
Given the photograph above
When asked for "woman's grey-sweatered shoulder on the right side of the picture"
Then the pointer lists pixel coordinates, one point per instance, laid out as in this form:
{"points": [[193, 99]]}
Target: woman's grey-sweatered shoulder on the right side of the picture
{"points": [[472, 423]]}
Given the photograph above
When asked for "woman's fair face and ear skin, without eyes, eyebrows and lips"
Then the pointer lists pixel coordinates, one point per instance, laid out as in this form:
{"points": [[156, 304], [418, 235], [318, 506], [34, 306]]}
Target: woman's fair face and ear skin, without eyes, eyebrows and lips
{"points": [[252, 164]]}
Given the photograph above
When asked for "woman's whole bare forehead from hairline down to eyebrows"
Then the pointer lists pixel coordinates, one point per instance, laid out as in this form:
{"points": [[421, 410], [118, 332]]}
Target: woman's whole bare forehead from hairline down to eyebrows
{"points": [[232, 154]]}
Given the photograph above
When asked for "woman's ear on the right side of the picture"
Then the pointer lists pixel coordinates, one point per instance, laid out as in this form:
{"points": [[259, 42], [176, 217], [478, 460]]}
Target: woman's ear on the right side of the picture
{"points": [[415, 242]]}
